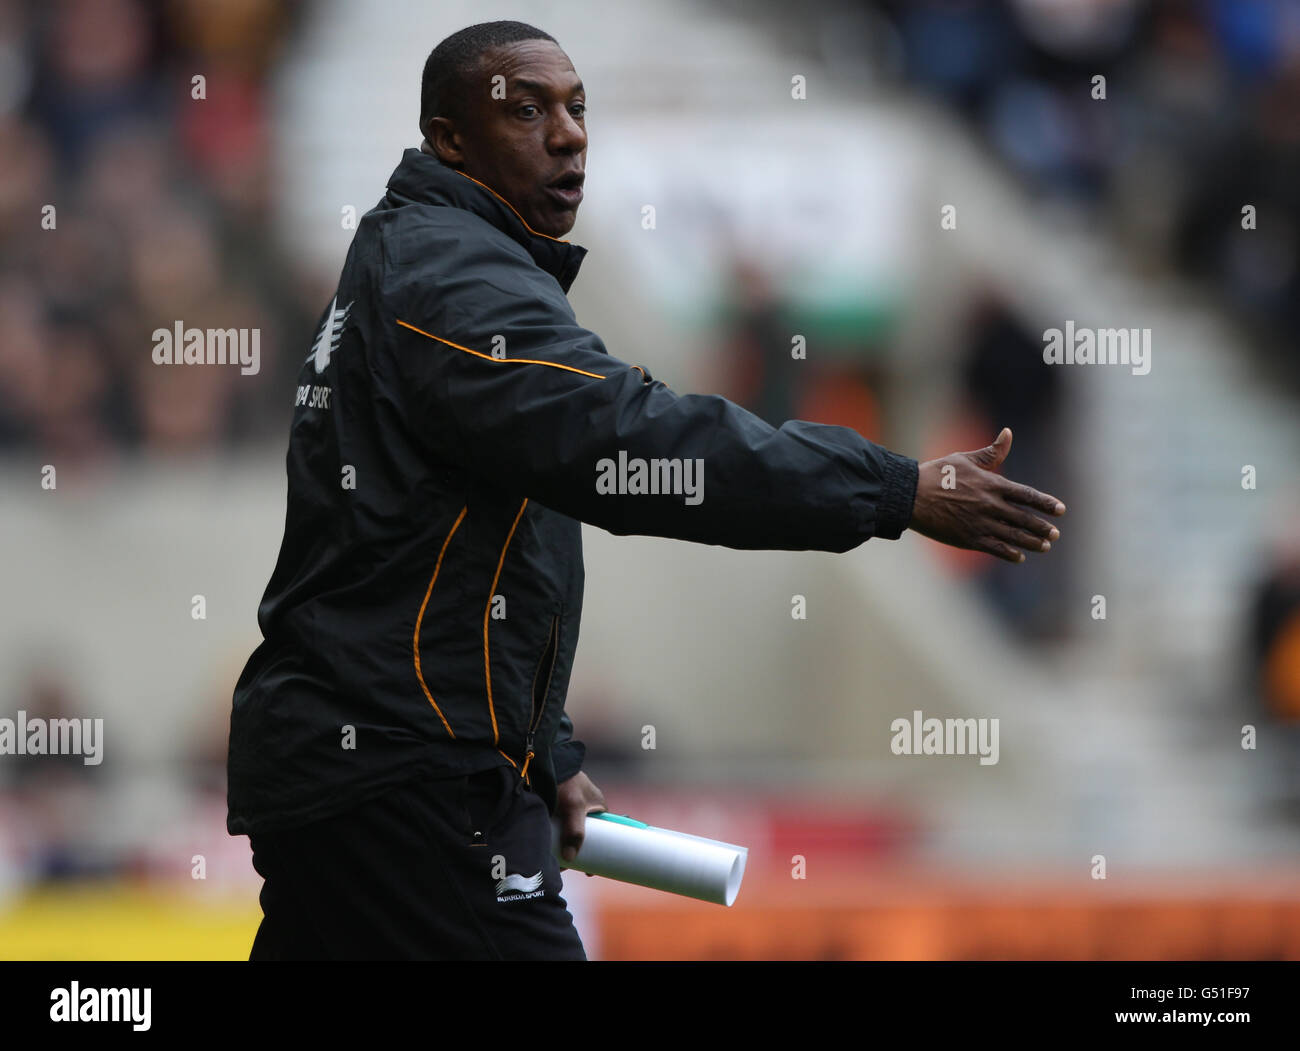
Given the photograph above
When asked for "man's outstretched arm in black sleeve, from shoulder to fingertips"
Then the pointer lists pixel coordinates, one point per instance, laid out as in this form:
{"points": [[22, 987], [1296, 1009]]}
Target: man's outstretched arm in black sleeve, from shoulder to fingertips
{"points": [[505, 383]]}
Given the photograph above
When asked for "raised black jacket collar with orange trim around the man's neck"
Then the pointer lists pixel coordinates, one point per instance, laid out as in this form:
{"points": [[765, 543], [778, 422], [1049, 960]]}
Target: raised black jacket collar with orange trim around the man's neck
{"points": [[426, 180]]}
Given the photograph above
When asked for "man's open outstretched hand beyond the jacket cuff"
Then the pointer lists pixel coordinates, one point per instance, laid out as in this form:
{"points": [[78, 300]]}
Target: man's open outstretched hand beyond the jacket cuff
{"points": [[980, 509]]}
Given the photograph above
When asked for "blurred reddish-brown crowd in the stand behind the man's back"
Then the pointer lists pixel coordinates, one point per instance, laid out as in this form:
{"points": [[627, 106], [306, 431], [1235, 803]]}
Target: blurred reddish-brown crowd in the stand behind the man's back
{"points": [[135, 194]]}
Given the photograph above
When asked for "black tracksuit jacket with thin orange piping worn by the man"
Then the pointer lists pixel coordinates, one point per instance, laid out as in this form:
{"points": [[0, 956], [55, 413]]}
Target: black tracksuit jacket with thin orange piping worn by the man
{"points": [[447, 443]]}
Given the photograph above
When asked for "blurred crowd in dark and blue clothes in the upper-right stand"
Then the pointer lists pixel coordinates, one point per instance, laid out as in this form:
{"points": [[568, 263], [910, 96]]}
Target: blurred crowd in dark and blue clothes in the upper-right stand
{"points": [[1198, 118]]}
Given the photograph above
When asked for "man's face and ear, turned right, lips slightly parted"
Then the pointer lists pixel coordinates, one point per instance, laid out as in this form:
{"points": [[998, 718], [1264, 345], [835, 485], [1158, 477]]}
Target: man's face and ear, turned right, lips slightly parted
{"points": [[528, 145]]}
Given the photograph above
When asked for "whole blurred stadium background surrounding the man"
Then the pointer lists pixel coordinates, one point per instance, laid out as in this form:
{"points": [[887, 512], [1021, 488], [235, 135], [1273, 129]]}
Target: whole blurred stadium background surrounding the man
{"points": [[775, 217]]}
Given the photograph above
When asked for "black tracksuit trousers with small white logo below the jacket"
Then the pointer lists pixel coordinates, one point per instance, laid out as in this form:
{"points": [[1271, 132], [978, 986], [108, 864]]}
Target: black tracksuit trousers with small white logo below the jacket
{"points": [[435, 870]]}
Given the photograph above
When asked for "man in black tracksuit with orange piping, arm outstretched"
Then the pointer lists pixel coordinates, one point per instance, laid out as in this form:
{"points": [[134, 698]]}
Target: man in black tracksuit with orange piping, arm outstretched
{"points": [[400, 741]]}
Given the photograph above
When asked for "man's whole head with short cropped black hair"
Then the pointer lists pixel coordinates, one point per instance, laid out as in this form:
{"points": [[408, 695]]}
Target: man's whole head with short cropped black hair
{"points": [[501, 102]]}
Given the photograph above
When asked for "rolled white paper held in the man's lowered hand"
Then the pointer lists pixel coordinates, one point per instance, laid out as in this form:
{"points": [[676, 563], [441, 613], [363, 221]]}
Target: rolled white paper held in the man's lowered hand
{"points": [[661, 859]]}
